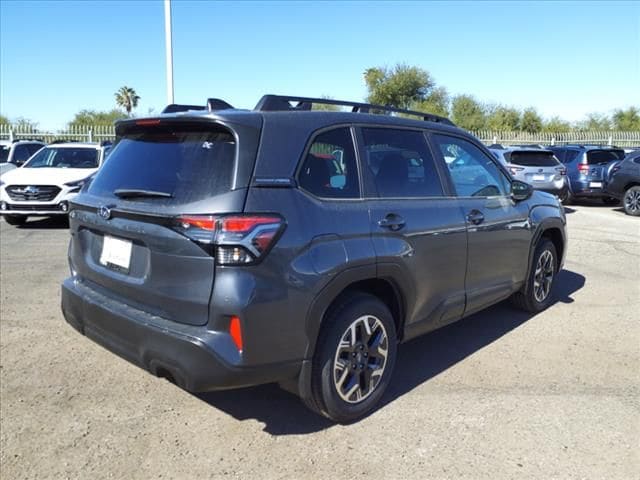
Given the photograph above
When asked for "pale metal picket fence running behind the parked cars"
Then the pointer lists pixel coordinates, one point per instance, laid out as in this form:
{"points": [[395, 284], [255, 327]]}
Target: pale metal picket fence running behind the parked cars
{"points": [[98, 133]]}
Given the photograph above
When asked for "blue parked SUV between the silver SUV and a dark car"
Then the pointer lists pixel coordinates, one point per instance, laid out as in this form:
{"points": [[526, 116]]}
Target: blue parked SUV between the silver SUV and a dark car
{"points": [[587, 166]]}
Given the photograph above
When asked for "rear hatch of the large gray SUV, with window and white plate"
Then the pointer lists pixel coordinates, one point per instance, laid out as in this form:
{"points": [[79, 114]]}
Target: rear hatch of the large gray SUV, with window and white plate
{"points": [[130, 236]]}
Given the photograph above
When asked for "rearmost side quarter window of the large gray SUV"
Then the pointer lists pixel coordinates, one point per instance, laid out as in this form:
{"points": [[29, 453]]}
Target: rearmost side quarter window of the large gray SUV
{"points": [[329, 170]]}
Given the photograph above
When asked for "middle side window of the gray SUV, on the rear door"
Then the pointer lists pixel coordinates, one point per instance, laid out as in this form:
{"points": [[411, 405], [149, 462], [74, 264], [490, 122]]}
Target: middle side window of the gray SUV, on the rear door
{"points": [[401, 163]]}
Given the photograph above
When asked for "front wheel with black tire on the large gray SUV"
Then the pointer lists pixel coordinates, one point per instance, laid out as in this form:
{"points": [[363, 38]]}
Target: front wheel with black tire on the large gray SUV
{"points": [[531, 298]]}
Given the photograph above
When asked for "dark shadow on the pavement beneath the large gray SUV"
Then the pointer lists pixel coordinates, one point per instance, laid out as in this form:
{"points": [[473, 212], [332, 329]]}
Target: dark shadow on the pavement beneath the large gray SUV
{"points": [[419, 360]]}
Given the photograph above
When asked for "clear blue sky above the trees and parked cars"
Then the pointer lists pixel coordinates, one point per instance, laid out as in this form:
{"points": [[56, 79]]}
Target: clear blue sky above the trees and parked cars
{"points": [[564, 59]]}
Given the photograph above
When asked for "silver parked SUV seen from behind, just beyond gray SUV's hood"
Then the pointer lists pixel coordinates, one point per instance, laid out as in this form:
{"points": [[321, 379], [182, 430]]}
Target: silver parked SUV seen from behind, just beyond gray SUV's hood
{"points": [[538, 167]]}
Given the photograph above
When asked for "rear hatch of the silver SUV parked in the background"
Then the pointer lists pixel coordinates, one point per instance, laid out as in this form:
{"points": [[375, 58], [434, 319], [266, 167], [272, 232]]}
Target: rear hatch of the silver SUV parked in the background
{"points": [[535, 166]]}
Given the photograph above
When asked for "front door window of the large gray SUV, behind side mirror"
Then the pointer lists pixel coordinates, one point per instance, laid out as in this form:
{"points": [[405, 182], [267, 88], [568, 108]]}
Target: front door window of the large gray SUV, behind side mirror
{"points": [[474, 174]]}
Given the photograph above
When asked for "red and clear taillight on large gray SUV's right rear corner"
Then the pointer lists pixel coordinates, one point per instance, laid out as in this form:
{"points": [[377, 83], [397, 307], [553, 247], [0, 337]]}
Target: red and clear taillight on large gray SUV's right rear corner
{"points": [[233, 239]]}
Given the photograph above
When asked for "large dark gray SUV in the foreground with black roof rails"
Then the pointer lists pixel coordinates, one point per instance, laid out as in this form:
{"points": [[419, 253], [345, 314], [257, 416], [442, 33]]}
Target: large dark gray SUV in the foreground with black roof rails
{"points": [[224, 248]]}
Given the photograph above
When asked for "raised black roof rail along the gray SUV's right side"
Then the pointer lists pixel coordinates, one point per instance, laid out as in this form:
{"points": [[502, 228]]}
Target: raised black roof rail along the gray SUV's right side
{"points": [[284, 103]]}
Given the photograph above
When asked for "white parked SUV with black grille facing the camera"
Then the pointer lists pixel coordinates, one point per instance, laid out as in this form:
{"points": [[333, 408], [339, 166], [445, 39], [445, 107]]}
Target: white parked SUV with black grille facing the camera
{"points": [[46, 183]]}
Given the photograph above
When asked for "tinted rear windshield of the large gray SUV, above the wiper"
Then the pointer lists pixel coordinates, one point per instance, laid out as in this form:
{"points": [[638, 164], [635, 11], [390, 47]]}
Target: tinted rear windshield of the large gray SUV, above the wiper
{"points": [[188, 164]]}
